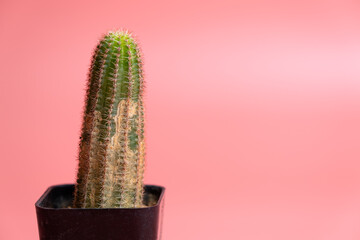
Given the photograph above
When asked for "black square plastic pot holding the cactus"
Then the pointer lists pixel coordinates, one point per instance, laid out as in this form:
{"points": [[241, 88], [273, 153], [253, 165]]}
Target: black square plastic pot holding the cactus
{"points": [[57, 221]]}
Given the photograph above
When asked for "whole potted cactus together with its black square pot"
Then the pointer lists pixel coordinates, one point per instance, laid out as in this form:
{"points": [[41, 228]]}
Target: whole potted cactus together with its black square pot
{"points": [[109, 200]]}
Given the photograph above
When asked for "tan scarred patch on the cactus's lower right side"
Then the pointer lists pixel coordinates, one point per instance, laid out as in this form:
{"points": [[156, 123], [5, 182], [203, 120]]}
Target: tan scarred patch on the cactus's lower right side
{"points": [[121, 176]]}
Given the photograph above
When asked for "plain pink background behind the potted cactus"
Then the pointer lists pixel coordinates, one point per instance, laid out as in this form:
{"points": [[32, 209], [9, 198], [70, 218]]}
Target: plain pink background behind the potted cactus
{"points": [[253, 111]]}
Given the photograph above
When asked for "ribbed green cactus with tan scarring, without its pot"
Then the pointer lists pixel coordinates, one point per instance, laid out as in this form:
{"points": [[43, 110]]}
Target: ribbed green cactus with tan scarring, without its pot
{"points": [[111, 151]]}
